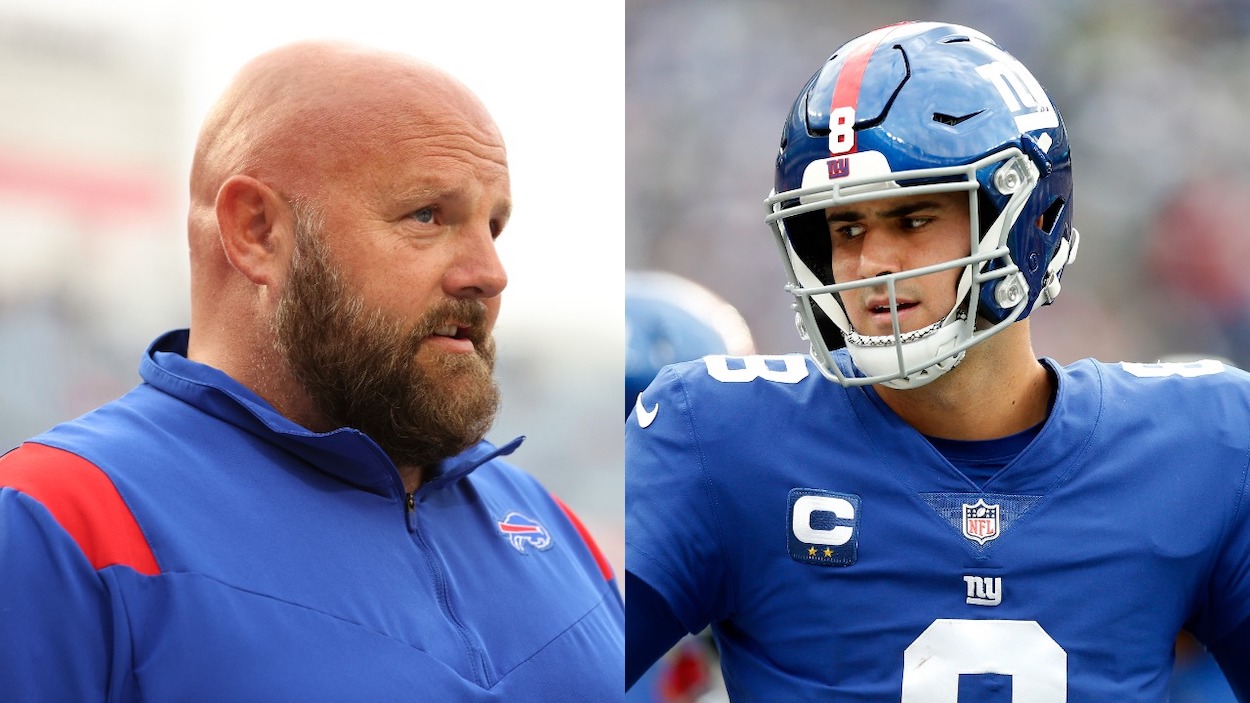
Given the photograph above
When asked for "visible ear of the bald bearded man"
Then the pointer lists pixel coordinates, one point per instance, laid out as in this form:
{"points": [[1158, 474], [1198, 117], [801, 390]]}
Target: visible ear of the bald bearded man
{"points": [[257, 230]]}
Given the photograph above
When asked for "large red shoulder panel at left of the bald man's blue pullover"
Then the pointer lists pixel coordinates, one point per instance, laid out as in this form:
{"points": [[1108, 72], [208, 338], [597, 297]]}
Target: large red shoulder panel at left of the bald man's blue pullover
{"points": [[84, 502]]}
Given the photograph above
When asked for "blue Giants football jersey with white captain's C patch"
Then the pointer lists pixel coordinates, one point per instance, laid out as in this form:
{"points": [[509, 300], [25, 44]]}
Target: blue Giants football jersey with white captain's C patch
{"points": [[839, 557]]}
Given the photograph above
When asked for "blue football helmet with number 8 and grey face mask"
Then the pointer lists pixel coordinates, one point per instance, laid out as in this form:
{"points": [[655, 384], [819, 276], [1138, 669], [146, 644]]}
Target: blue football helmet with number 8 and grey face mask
{"points": [[924, 108]]}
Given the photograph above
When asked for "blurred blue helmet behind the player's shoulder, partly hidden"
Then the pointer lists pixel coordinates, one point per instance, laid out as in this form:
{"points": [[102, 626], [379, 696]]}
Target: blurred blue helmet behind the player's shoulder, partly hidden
{"points": [[671, 320]]}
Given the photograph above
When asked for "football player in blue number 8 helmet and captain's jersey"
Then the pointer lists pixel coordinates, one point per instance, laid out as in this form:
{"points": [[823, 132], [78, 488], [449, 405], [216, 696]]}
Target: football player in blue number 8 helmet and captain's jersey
{"points": [[932, 512]]}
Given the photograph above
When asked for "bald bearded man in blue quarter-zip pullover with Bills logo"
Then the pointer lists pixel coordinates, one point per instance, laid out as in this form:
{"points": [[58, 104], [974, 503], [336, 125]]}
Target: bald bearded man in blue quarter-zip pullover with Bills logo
{"points": [[298, 502]]}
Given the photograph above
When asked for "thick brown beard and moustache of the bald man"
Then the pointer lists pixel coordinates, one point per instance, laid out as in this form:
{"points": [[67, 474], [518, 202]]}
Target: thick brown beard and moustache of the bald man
{"points": [[363, 371]]}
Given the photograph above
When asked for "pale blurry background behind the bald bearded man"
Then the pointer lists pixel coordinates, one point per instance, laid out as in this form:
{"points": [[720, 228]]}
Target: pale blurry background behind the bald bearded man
{"points": [[99, 109]]}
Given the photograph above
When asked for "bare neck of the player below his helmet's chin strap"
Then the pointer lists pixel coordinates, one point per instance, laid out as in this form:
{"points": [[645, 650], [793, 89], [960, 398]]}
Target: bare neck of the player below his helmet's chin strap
{"points": [[999, 390]]}
